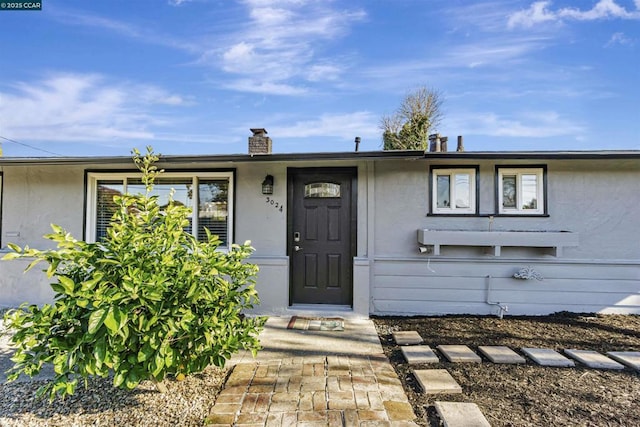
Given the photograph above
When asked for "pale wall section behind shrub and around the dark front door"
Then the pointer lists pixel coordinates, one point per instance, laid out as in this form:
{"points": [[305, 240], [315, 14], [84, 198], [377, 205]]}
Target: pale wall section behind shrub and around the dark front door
{"points": [[34, 197]]}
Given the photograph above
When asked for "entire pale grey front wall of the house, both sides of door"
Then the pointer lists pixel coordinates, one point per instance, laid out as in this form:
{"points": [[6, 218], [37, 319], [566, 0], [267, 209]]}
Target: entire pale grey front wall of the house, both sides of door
{"points": [[597, 199]]}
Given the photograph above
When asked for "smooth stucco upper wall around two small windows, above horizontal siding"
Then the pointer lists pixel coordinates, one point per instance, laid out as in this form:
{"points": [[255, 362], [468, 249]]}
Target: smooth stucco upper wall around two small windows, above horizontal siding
{"points": [[595, 199]]}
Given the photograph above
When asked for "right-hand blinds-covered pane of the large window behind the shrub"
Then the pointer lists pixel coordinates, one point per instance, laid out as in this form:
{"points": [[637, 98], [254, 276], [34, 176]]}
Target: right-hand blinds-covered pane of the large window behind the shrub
{"points": [[213, 212]]}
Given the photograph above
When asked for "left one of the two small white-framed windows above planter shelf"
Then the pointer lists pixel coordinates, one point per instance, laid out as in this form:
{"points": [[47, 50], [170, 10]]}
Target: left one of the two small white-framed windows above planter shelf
{"points": [[453, 191]]}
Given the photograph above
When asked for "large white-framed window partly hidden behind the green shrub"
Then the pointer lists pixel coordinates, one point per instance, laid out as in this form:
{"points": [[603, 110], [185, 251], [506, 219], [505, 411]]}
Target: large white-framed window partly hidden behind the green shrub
{"points": [[210, 192]]}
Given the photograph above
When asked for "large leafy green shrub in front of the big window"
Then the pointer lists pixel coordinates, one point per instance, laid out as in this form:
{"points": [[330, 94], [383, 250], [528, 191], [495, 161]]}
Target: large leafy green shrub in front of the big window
{"points": [[147, 301]]}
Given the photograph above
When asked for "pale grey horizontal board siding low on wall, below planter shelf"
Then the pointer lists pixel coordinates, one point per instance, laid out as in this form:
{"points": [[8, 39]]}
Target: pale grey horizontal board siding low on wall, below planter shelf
{"points": [[454, 286]]}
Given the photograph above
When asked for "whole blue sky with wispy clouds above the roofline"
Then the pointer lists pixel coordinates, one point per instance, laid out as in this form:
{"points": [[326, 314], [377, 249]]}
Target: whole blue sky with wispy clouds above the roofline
{"points": [[192, 76]]}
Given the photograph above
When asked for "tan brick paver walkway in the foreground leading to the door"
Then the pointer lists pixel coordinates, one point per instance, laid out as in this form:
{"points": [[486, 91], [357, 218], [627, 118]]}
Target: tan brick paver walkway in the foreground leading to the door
{"points": [[313, 391]]}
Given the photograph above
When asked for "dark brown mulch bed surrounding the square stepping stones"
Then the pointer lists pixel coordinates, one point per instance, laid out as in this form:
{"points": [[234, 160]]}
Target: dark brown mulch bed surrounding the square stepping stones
{"points": [[527, 395]]}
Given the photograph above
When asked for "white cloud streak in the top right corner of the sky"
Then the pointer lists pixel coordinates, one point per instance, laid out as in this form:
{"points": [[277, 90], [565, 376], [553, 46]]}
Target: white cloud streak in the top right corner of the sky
{"points": [[540, 12]]}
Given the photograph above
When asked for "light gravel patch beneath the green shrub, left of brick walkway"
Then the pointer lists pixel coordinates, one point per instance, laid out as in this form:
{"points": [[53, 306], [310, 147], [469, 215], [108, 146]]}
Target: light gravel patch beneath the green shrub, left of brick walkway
{"points": [[186, 403]]}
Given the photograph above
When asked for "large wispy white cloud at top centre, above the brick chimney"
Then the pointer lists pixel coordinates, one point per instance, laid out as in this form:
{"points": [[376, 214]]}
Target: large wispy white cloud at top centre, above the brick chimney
{"points": [[277, 47]]}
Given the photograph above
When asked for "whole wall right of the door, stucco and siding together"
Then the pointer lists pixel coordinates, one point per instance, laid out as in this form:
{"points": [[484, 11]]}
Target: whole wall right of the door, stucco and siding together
{"points": [[598, 200]]}
